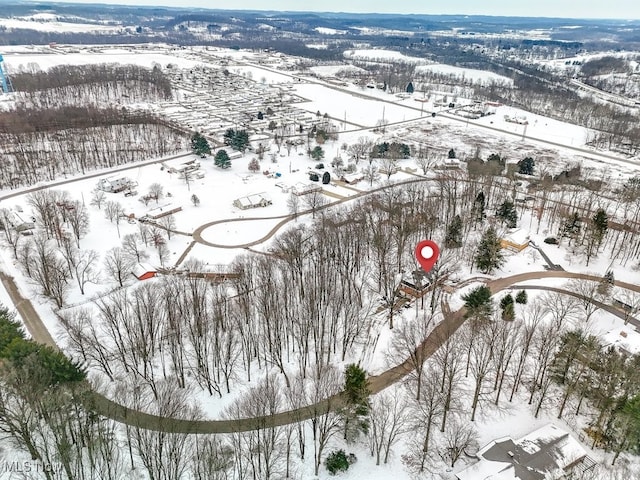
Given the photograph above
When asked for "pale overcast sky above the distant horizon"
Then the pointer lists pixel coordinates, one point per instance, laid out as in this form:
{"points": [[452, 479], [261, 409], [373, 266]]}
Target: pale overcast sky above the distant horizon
{"points": [[623, 9]]}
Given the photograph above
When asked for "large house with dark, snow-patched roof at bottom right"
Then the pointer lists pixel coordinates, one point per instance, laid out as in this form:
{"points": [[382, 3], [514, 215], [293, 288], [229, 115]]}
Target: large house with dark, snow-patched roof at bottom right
{"points": [[548, 453]]}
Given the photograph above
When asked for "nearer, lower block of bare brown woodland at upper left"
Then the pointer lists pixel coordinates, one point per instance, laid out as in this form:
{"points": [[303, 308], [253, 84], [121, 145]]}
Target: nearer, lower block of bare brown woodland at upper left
{"points": [[44, 152]]}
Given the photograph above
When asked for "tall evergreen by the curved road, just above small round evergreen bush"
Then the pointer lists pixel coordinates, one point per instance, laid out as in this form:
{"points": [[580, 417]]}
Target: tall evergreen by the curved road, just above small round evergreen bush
{"points": [[356, 402]]}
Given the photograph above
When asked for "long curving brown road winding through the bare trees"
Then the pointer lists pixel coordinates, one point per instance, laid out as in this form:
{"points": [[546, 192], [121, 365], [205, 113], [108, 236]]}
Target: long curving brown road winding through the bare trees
{"points": [[108, 408]]}
